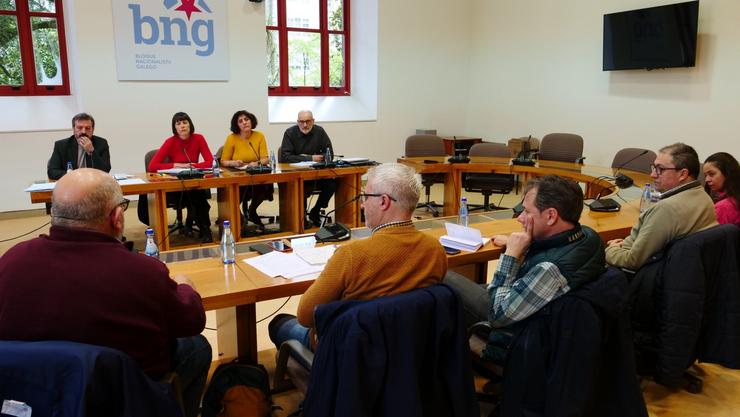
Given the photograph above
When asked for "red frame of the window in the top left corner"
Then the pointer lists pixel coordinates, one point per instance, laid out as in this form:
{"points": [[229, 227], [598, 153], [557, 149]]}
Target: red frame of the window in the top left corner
{"points": [[30, 85]]}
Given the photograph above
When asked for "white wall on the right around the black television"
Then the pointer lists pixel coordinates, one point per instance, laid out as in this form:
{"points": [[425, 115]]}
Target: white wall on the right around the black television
{"points": [[536, 68]]}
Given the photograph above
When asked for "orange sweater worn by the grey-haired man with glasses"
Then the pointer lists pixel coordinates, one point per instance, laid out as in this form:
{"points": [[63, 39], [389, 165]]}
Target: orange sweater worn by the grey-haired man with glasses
{"points": [[391, 261]]}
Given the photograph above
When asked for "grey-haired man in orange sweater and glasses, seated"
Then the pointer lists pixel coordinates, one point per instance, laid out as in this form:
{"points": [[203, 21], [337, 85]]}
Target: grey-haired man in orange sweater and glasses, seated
{"points": [[394, 259]]}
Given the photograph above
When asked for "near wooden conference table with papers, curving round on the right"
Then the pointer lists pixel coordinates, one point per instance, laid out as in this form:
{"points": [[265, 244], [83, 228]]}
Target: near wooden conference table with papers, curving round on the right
{"points": [[234, 289]]}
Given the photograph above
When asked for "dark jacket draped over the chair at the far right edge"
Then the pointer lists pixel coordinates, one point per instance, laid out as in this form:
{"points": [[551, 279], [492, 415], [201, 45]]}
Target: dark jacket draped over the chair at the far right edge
{"points": [[686, 305]]}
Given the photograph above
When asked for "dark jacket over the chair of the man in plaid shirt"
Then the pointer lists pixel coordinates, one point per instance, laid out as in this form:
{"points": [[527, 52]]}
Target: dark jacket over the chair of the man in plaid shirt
{"points": [[574, 357]]}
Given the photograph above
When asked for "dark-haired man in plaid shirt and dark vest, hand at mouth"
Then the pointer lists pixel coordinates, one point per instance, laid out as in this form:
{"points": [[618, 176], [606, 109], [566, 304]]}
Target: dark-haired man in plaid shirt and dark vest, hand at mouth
{"points": [[553, 255]]}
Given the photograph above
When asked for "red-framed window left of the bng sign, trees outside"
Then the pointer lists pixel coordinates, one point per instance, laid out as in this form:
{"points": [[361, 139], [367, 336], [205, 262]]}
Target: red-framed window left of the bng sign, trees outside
{"points": [[33, 58]]}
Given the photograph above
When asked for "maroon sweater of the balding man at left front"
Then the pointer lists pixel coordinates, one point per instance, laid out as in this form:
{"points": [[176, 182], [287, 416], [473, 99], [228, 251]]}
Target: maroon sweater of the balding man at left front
{"points": [[84, 286]]}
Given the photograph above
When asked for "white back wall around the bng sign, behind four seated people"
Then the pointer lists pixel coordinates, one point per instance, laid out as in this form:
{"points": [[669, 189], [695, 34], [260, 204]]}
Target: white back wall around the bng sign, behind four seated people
{"points": [[423, 52]]}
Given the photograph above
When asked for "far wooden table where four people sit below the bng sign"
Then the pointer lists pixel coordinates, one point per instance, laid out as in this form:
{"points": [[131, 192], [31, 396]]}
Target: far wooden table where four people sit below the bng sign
{"points": [[290, 182]]}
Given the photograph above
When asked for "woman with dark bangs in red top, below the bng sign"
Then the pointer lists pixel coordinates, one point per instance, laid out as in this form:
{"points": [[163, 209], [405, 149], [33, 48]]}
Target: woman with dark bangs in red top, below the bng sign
{"points": [[183, 150]]}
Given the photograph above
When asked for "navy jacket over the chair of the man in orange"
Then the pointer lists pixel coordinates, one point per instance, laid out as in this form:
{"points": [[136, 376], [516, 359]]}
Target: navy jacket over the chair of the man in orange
{"points": [[389, 363]]}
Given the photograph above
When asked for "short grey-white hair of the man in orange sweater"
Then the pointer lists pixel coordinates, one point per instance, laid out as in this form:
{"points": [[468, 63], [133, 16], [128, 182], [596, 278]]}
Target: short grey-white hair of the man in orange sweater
{"points": [[398, 181]]}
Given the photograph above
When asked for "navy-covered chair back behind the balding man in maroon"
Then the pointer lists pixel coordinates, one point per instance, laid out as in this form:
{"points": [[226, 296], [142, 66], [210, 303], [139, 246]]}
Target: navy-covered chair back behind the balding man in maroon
{"points": [[81, 380]]}
